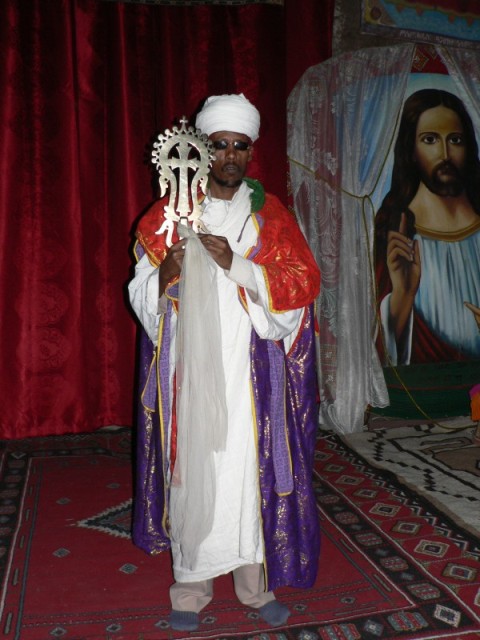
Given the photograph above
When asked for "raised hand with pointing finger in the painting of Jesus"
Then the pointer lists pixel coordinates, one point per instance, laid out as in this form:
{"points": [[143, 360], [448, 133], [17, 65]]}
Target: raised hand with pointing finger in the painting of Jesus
{"points": [[403, 262]]}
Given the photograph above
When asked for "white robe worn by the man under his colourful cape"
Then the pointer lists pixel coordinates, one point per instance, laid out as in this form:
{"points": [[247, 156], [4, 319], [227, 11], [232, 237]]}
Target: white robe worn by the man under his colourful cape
{"points": [[236, 536]]}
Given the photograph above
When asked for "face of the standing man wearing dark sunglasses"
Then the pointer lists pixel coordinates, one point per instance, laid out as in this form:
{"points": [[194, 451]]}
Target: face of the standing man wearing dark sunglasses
{"points": [[233, 151]]}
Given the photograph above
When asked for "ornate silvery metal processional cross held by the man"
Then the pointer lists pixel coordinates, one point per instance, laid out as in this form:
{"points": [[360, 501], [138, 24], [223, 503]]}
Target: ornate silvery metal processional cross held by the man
{"points": [[188, 154]]}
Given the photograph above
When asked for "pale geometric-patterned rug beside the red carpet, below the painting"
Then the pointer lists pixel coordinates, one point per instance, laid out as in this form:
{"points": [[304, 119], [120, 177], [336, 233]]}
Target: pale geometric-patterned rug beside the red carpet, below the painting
{"points": [[439, 461]]}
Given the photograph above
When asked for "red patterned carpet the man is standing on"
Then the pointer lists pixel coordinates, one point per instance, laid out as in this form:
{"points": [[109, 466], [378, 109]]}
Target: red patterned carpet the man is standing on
{"points": [[392, 564]]}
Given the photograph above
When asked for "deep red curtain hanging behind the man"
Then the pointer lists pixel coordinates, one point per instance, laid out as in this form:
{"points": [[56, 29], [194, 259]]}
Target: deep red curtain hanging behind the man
{"points": [[85, 85]]}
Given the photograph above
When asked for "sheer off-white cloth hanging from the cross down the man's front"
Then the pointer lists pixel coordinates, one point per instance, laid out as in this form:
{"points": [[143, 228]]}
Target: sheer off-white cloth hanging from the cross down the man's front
{"points": [[201, 405]]}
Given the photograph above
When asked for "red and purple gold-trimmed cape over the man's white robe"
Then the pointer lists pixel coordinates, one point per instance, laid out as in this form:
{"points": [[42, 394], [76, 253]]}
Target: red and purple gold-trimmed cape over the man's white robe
{"points": [[285, 402]]}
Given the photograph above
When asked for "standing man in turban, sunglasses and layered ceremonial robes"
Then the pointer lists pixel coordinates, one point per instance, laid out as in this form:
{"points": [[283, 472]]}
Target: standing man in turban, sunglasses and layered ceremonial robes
{"points": [[228, 402]]}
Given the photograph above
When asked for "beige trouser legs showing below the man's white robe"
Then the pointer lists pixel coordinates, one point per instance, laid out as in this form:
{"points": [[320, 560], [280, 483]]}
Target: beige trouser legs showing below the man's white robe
{"points": [[248, 581]]}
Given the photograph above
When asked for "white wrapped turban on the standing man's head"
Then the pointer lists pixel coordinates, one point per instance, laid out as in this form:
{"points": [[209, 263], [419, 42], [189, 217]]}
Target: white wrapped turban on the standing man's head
{"points": [[229, 113]]}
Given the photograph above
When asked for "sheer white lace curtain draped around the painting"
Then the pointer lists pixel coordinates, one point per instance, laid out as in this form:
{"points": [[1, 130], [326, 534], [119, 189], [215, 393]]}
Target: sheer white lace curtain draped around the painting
{"points": [[342, 120]]}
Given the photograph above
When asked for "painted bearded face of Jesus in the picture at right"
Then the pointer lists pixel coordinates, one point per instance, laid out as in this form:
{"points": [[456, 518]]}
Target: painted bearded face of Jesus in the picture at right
{"points": [[440, 151]]}
